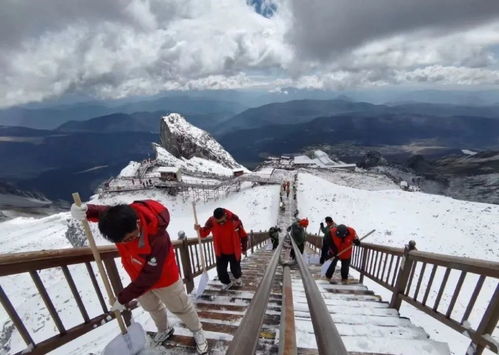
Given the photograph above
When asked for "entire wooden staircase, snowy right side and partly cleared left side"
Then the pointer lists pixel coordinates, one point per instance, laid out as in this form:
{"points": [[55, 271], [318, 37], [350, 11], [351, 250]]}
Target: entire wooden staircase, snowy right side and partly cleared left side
{"points": [[366, 324]]}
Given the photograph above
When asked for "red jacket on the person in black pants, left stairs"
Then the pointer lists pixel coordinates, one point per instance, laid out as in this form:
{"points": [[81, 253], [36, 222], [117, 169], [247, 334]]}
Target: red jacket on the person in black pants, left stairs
{"points": [[229, 237]]}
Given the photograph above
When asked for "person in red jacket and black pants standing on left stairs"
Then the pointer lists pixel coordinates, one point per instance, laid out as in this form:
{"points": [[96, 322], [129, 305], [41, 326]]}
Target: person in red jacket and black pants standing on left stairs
{"points": [[229, 240]]}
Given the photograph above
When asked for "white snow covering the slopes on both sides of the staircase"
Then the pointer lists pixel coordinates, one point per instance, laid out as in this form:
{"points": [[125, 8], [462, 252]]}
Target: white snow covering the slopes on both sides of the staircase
{"points": [[437, 224]]}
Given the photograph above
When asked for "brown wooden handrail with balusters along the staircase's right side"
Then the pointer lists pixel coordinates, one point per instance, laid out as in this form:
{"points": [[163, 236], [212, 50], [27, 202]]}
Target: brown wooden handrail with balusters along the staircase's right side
{"points": [[402, 276]]}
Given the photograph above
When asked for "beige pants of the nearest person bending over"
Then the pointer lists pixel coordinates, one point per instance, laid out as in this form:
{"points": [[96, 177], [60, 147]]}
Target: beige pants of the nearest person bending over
{"points": [[175, 299]]}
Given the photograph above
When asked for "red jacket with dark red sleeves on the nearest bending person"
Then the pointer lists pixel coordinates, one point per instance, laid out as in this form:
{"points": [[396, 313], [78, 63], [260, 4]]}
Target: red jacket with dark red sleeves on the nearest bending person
{"points": [[150, 259]]}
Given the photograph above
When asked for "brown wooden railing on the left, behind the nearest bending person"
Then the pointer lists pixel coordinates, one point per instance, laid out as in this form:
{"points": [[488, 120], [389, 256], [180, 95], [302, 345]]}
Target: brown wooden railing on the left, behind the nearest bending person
{"points": [[31, 263]]}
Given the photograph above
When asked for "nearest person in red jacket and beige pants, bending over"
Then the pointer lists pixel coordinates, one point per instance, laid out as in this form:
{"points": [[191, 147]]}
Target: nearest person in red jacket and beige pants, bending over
{"points": [[139, 232]]}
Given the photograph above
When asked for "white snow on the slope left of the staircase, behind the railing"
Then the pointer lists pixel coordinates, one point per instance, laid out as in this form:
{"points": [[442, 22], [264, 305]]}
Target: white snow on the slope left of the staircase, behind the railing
{"points": [[257, 207]]}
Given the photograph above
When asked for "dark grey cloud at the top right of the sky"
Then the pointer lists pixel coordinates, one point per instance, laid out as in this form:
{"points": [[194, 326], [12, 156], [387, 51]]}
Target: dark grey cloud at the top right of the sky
{"points": [[323, 29]]}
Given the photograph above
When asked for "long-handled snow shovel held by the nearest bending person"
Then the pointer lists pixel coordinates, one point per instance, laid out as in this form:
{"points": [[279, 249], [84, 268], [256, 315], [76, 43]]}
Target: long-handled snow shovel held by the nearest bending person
{"points": [[132, 340]]}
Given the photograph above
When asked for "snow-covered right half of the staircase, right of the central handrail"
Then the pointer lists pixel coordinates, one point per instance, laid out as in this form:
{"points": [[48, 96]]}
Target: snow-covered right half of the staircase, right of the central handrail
{"points": [[366, 324]]}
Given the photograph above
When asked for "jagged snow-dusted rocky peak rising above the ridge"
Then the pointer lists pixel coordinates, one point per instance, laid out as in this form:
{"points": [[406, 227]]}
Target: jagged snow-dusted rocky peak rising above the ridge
{"points": [[183, 140]]}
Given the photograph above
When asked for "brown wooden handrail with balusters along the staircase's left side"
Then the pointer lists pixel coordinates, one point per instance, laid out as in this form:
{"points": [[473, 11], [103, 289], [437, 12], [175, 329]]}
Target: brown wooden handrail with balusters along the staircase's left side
{"points": [[31, 262]]}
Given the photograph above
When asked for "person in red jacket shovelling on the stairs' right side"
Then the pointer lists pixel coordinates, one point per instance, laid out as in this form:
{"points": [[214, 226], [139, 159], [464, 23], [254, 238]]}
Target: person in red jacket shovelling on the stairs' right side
{"points": [[342, 237]]}
